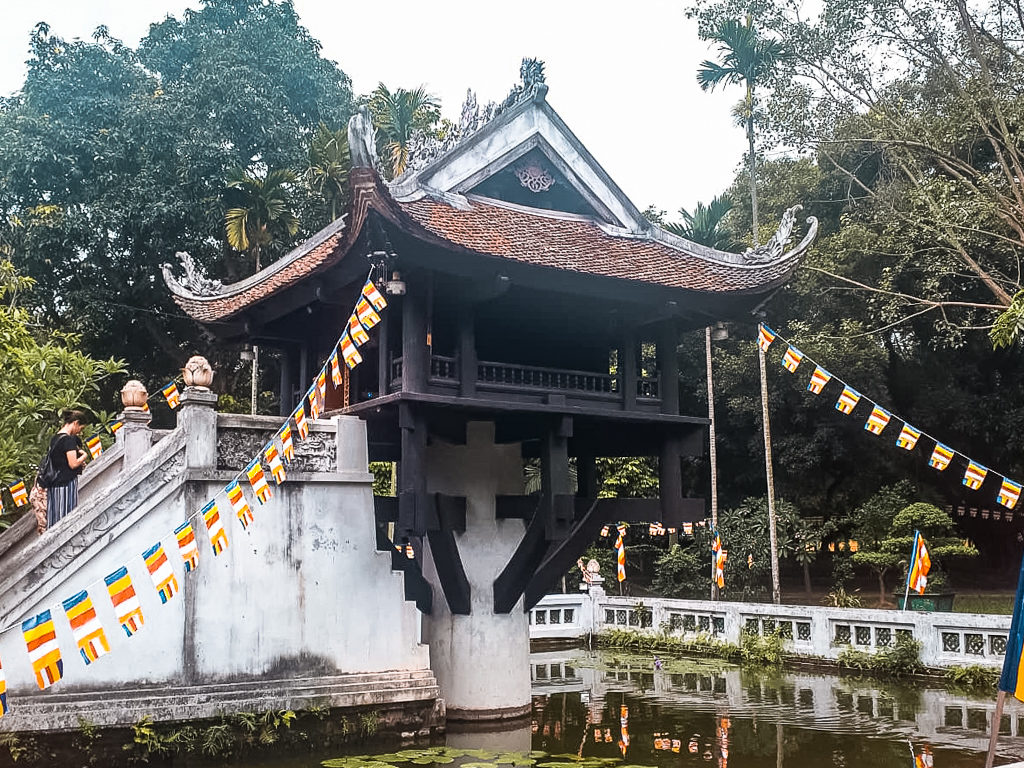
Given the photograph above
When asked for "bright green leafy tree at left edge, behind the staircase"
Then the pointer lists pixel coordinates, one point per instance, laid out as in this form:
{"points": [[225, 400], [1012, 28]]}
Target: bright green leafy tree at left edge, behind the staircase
{"points": [[45, 373]]}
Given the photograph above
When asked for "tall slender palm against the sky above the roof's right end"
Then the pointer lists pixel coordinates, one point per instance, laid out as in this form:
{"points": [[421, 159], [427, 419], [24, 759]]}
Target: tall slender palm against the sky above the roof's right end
{"points": [[748, 59]]}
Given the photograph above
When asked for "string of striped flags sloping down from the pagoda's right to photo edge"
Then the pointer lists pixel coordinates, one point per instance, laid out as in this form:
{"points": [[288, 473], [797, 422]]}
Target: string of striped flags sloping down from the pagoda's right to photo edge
{"points": [[879, 420]]}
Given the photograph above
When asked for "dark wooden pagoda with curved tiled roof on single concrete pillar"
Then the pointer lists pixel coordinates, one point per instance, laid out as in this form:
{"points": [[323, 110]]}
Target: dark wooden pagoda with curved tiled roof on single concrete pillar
{"points": [[534, 318]]}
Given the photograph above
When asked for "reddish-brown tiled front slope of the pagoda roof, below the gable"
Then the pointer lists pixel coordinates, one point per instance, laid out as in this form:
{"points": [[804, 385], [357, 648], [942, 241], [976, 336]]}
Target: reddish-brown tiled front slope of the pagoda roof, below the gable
{"points": [[579, 245]]}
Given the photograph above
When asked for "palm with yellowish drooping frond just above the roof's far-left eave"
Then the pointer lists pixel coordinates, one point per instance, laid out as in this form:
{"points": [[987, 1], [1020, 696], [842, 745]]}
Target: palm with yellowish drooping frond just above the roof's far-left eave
{"points": [[262, 216]]}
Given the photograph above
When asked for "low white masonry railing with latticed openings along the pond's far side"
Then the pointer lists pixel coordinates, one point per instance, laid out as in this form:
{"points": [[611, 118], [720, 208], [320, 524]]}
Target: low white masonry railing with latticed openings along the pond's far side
{"points": [[948, 639]]}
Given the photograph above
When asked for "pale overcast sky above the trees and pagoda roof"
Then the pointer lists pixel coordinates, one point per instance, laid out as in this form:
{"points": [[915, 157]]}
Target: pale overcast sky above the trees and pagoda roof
{"points": [[621, 74]]}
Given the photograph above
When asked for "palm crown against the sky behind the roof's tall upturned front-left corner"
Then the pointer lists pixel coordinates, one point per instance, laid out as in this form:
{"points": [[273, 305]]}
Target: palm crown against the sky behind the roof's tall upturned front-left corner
{"points": [[398, 116]]}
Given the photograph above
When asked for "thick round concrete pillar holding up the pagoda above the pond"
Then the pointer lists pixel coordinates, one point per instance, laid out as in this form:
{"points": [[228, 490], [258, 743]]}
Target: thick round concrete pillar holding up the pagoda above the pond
{"points": [[482, 661]]}
